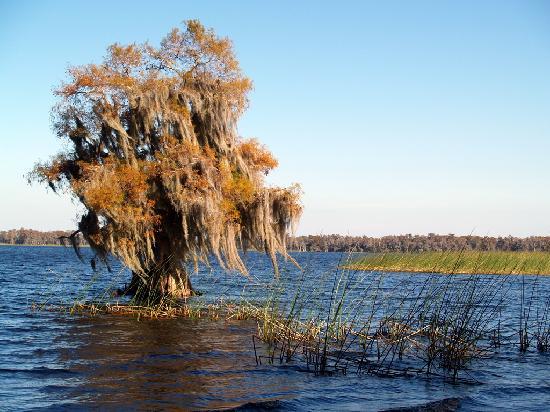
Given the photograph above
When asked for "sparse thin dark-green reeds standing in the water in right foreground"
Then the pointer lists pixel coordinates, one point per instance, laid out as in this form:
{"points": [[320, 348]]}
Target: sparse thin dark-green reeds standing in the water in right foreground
{"points": [[424, 324]]}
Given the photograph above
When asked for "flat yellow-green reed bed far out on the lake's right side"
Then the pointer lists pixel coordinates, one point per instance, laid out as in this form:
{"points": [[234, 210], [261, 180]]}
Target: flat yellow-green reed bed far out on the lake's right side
{"points": [[467, 262]]}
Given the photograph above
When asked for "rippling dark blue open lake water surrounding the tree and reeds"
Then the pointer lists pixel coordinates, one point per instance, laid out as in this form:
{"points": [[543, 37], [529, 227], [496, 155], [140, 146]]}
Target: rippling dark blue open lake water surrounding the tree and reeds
{"points": [[56, 361]]}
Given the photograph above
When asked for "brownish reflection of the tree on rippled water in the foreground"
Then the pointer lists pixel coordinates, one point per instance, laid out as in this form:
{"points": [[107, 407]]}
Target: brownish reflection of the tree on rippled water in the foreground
{"points": [[145, 364]]}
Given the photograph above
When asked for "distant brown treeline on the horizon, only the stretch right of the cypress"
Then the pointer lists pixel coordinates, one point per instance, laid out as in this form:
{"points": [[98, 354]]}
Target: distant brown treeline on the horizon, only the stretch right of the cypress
{"points": [[417, 243]]}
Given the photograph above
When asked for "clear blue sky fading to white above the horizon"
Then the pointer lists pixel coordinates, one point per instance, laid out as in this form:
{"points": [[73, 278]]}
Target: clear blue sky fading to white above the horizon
{"points": [[396, 117]]}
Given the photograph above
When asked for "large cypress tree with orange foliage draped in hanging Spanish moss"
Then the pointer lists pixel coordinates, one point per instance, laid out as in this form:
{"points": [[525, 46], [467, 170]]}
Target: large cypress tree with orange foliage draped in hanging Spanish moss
{"points": [[154, 156]]}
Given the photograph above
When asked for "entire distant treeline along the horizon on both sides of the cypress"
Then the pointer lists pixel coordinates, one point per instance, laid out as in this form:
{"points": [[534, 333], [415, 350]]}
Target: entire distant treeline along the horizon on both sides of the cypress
{"points": [[339, 243]]}
